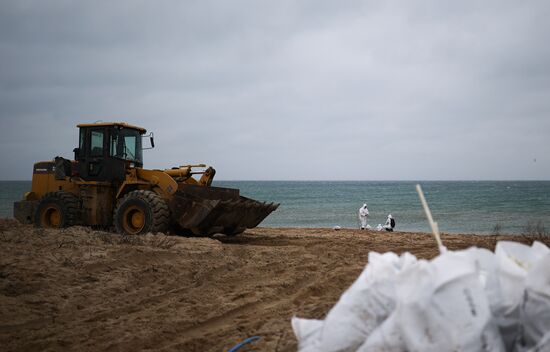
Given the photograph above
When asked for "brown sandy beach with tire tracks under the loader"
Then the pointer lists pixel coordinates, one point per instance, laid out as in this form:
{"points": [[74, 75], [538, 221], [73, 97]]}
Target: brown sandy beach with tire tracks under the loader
{"points": [[86, 290]]}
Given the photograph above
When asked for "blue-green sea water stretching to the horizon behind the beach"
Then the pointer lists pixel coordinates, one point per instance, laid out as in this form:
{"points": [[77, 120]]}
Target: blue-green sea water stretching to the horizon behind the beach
{"points": [[457, 206]]}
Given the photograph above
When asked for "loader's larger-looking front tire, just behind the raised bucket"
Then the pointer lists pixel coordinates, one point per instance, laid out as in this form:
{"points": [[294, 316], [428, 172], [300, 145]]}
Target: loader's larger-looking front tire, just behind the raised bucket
{"points": [[140, 212]]}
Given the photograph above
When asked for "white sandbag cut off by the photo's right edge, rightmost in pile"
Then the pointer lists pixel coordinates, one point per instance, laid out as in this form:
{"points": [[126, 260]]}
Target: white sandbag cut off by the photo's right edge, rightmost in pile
{"points": [[535, 307]]}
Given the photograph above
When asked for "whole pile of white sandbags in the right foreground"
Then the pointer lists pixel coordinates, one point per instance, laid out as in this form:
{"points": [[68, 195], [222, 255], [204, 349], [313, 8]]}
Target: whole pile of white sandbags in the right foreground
{"points": [[471, 300]]}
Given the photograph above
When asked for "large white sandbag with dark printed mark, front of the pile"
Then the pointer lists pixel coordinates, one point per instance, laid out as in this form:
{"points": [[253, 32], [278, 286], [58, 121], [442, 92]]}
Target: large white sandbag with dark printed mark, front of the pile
{"points": [[446, 310]]}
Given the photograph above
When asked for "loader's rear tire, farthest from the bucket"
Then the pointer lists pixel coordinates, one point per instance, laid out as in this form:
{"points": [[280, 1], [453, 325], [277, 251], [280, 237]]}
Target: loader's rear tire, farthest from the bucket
{"points": [[57, 210]]}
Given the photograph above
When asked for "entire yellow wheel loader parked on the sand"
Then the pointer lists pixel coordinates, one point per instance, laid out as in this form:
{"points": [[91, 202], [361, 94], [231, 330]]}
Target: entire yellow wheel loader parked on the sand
{"points": [[106, 186]]}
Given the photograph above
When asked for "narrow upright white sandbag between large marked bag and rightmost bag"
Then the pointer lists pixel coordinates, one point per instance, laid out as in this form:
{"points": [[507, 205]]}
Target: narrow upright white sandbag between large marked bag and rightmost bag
{"points": [[505, 288]]}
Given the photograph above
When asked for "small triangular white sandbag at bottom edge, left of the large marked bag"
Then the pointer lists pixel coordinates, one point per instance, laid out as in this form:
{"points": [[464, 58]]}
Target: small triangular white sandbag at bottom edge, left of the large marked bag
{"points": [[385, 338]]}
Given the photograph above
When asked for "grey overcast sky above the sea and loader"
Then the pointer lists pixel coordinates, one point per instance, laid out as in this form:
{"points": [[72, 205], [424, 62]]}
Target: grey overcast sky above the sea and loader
{"points": [[283, 90]]}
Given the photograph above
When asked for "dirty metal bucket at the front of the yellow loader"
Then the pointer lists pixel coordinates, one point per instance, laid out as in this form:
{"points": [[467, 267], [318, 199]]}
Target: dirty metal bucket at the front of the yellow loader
{"points": [[204, 210]]}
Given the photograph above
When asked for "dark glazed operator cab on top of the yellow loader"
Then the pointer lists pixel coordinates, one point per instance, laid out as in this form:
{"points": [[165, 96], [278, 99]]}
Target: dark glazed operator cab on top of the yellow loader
{"points": [[105, 150]]}
